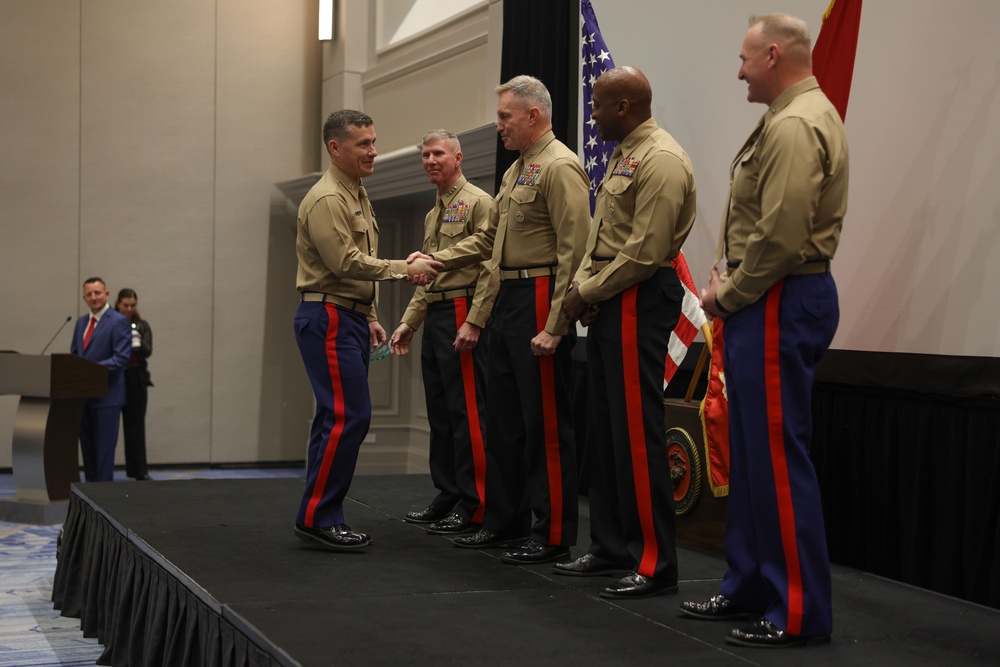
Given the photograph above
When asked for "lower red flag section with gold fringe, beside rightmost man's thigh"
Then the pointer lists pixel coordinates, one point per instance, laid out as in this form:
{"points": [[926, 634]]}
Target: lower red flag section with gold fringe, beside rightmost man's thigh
{"points": [[714, 414]]}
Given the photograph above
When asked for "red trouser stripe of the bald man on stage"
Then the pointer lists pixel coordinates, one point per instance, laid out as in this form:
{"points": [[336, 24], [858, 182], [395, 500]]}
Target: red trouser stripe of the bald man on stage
{"points": [[637, 432]]}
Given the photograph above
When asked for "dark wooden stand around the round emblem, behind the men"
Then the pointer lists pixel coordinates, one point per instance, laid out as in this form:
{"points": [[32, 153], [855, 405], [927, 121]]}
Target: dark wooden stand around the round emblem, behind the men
{"points": [[703, 521]]}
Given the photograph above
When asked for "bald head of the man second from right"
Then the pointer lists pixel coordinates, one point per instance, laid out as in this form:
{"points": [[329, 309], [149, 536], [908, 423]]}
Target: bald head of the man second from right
{"points": [[623, 101]]}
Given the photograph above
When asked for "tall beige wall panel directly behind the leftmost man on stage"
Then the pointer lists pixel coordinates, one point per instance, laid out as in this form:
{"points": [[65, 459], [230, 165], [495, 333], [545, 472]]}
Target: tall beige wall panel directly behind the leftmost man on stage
{"points": [[267, 131]]}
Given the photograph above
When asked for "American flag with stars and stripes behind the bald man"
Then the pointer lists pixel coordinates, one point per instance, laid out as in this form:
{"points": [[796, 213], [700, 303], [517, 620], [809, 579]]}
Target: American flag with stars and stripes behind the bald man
{"points": [[596, 153]]}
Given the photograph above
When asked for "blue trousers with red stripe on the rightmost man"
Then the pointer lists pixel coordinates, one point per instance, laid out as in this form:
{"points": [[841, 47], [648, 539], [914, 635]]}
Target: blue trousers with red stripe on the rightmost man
{"points": [[776, 549]]}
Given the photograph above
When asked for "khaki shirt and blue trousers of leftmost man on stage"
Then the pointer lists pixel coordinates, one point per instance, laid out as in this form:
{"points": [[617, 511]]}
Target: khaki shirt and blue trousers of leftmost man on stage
{"points": [[336, 245]]}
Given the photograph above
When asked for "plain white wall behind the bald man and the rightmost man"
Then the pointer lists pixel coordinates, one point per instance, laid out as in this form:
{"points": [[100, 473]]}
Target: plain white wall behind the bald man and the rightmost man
{"points": [[921, 243]]}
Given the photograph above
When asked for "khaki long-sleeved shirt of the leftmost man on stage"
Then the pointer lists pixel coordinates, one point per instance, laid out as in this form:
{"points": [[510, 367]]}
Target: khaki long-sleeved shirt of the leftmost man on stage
{"points": [[337, 242]]}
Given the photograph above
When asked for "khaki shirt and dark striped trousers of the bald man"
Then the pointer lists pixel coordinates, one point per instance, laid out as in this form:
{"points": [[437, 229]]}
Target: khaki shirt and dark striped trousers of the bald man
{"points": [[644, 212]]}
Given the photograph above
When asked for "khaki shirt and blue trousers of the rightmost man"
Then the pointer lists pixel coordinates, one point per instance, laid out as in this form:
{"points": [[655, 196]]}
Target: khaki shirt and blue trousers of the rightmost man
{"points": [[787, 201]]}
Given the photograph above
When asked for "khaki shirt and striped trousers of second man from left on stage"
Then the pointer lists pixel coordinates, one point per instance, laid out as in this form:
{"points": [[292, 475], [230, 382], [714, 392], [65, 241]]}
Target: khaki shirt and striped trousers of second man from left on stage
{"points": [[455, 382]]}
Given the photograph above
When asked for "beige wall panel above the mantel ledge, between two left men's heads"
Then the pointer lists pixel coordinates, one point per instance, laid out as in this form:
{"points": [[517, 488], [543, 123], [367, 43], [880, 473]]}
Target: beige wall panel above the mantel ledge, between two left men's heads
{"points": [[445, 94]]}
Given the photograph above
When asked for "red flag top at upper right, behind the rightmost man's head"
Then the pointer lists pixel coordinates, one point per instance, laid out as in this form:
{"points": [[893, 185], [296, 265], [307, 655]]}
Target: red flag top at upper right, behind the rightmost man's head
{"points": [[833, 53]]}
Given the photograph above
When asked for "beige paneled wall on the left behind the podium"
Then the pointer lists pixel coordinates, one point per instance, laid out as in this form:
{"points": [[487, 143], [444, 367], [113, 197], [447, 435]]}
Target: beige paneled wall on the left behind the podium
{"points": [[141, 142]]}
